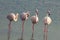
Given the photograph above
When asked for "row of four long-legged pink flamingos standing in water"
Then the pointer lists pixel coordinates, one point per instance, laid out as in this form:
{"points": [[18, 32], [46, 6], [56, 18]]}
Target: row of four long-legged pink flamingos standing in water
{"points": [[35, 19]]}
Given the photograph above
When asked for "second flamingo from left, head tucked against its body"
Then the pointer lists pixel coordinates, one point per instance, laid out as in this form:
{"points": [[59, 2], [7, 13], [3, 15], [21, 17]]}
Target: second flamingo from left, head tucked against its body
{"points": [[24, 16]]}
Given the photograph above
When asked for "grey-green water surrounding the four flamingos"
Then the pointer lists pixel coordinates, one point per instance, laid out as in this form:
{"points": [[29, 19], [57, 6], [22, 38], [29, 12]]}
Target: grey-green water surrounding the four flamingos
{"points": [[9, 6]]}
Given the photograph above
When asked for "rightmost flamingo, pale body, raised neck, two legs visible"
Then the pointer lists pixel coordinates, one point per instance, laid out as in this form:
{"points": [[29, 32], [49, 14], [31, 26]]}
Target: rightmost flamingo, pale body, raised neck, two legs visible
{"points": [[47, 21]]}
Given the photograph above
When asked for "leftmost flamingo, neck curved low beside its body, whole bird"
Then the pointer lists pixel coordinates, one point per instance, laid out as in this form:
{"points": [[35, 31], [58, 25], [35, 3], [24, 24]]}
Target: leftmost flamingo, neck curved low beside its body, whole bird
{"points": [[11, 17]]}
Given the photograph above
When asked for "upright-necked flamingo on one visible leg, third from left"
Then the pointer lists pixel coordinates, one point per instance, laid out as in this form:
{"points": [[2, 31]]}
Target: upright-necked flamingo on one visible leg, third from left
{"points": [[34, 20]]}
